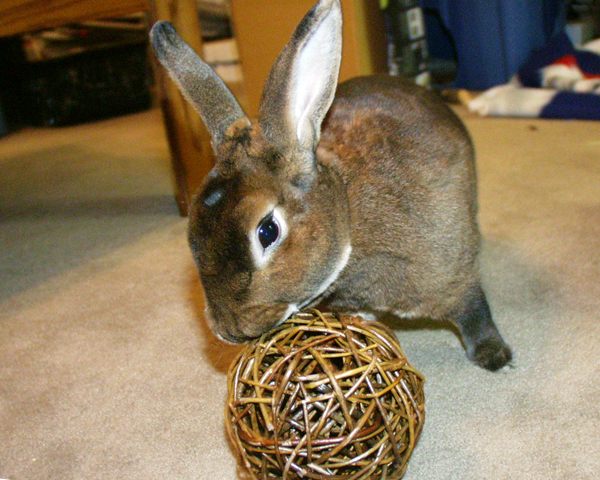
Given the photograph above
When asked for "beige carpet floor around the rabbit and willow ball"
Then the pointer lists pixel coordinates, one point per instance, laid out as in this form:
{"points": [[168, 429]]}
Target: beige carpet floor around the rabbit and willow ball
{"points": [[108, 372]]}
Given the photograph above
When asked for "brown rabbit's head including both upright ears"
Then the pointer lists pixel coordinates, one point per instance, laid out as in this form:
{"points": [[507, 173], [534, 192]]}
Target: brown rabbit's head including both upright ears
{"points": [[269, 227]]}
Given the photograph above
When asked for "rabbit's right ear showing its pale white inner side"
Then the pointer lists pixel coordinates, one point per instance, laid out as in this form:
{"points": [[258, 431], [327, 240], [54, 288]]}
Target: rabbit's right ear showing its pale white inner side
{"points": [[302, 82]]}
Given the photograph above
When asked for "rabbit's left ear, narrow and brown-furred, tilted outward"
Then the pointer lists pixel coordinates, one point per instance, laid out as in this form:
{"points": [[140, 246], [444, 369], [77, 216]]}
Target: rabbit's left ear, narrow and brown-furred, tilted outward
{"points": [[197, 81]]}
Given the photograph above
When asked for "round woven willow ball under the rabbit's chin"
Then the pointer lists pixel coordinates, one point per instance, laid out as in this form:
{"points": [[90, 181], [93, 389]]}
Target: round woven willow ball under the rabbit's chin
{"points": [[325, 397]]}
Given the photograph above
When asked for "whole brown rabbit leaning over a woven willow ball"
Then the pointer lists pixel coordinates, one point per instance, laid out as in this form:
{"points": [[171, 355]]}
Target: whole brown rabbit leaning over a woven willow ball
{"points": [[362, 200]]}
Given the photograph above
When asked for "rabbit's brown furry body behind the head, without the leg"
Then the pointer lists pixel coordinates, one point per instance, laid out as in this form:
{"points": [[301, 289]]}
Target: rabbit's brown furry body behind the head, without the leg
{"points": [[408, 165]]}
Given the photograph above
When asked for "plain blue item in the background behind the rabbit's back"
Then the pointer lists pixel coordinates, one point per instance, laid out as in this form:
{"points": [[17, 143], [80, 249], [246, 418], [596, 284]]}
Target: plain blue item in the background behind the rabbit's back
{"points": [[493, 38]]}
